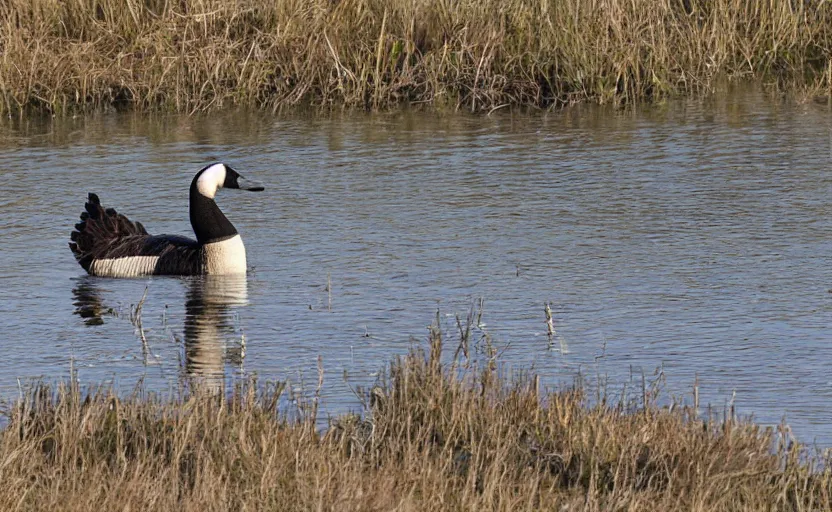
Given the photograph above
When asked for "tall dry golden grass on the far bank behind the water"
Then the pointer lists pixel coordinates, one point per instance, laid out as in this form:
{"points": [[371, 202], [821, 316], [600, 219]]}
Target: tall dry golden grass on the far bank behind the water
{"points": [[195, 55]]}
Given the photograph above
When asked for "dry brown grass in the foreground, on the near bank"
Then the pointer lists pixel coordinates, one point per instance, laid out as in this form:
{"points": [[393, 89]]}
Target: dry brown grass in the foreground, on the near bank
{"points": [[435, 437]]}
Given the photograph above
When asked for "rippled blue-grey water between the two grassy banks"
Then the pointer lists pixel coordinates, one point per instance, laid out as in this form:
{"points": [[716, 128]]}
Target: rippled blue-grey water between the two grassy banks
{"points": [[694, 237]]}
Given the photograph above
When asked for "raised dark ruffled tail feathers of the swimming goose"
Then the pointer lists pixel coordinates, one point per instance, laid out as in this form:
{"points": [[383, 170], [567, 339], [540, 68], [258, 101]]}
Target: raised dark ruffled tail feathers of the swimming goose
{"points": [[100, 229]]}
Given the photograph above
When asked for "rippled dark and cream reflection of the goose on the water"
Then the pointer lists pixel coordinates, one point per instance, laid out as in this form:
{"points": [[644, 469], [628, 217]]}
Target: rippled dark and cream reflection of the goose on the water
{"points": [[211, 334]]}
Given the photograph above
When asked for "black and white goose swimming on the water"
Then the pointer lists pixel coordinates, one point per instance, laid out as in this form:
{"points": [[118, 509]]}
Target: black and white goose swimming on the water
{"points": [[106, 243]]}
